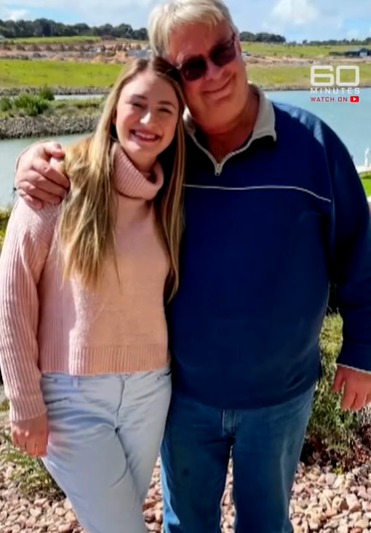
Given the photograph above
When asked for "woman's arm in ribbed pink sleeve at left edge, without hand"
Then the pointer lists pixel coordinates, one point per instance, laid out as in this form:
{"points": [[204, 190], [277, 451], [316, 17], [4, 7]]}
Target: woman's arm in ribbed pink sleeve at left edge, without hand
{"points": [[22, 259]]}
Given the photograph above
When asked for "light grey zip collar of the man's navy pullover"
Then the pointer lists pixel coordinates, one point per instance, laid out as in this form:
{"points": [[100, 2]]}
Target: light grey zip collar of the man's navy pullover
{"points": [[264, 127]]}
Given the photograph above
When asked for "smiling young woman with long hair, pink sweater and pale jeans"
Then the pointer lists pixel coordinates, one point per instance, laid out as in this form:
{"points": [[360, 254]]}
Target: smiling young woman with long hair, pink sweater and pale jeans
{"points": [[83, 344]]}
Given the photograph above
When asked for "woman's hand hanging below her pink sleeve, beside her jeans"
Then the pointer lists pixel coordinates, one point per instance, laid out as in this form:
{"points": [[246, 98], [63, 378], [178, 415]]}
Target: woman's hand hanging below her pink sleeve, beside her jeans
{"points": [[31, 436]]}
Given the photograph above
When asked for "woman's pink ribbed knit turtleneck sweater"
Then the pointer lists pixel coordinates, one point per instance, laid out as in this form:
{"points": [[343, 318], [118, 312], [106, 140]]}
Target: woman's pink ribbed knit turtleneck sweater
{"points": [[50, 326]]}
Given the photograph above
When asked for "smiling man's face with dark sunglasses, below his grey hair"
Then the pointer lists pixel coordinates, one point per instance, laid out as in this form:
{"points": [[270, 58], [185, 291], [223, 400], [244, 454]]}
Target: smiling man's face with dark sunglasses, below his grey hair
{"points": [[213, 73]]}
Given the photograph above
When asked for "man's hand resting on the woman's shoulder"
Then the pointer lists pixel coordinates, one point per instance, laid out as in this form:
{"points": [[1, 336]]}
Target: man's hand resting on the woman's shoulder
{"points": [[36, 179]]}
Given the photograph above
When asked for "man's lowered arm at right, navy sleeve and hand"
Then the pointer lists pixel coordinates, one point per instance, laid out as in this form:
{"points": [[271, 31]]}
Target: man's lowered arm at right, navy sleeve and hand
{"points": [[351, 272]]}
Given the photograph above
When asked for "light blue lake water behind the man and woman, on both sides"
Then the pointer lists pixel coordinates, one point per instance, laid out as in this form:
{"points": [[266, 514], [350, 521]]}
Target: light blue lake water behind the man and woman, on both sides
{"points": [[351, 121]]}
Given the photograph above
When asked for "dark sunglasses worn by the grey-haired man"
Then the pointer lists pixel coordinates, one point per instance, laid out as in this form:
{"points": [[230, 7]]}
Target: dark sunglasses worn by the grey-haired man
{"points": [[195, 68]]}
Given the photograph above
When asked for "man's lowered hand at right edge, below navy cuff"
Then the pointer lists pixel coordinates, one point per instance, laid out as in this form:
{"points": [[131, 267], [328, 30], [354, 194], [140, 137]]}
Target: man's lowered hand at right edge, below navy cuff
{"points": [[355, 385]]}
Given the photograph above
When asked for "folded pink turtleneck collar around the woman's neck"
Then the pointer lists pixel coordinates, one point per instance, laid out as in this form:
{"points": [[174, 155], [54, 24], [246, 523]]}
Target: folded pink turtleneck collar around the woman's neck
{"points": [[133, 183]]}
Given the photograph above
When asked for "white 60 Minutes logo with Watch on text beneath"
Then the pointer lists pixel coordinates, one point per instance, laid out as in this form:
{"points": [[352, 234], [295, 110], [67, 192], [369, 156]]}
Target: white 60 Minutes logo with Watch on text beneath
{"points": [[323, 82]]}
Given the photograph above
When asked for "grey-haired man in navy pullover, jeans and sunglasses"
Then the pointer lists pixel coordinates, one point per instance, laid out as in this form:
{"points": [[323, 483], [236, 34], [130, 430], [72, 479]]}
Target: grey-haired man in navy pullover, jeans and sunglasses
{"points": [[274, 211]]}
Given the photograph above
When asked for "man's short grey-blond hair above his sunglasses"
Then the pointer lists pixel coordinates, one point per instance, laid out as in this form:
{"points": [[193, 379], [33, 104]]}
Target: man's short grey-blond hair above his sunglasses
{"points": [[173, 14]]}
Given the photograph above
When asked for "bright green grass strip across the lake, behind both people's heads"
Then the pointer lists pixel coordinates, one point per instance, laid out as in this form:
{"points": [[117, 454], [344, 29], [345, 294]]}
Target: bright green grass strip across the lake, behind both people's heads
{"points": [[23, 73]]}
